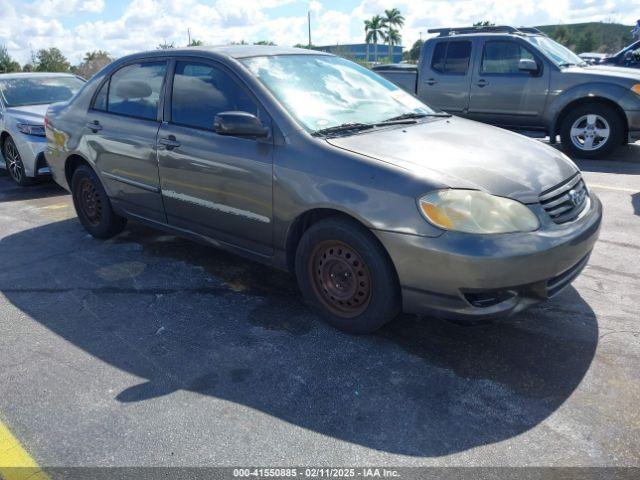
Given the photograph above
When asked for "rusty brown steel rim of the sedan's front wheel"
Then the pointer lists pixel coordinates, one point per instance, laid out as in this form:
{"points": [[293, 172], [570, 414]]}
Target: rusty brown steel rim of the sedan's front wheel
{"points": [[340, 278]]}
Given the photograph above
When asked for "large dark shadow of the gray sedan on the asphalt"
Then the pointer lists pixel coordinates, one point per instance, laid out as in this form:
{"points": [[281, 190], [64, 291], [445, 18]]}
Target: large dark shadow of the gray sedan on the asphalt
{"points": [[188, 317]]}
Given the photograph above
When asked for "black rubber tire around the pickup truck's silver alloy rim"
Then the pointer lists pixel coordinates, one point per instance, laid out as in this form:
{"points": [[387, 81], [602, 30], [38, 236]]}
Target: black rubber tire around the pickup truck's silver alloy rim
{"points": [[606, 112]]}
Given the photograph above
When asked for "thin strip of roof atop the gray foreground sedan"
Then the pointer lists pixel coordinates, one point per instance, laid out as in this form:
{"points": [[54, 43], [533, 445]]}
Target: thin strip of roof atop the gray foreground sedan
{"points": [[232, 51]]}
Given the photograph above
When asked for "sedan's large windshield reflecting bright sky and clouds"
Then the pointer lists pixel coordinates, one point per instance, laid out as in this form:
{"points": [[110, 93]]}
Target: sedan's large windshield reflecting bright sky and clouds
{"points": [[322, 91]]}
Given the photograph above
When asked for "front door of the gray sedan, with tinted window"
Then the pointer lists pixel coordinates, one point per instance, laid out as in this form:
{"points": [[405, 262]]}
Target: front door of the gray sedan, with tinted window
{"points": [[218, 186]]}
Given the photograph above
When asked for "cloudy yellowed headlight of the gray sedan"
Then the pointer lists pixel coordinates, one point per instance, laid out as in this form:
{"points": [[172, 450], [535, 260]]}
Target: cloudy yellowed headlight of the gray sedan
{"points": [[472, 211]]}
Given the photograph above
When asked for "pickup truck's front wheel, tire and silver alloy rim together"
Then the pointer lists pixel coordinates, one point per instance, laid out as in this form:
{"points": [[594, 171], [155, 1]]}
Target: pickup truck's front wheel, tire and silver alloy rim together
{"points": [[592, 131]]}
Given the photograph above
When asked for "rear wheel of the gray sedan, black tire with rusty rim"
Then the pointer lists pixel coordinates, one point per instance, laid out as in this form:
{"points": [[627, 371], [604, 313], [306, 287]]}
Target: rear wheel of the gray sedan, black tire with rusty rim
{"points": [[93, 206]]}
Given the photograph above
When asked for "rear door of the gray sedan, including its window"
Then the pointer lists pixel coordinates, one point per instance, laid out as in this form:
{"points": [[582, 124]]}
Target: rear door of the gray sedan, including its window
{"points": [[121, 130]]}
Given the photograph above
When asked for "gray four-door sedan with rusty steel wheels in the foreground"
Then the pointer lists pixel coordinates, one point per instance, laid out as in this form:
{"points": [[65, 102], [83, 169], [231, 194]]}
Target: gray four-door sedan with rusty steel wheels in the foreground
{"points": [[311, 163]]}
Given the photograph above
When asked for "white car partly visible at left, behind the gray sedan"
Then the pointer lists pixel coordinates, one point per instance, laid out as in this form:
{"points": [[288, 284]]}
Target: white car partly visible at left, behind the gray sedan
{"points": [[24, 99]]}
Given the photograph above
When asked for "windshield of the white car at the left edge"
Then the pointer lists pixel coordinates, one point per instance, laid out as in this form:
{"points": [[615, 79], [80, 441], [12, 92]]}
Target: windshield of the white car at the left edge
{"points": [[19, 92]]}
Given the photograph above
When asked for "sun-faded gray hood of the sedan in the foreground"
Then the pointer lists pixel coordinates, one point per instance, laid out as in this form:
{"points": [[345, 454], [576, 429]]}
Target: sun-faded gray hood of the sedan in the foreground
{"points": [[459, 153]]}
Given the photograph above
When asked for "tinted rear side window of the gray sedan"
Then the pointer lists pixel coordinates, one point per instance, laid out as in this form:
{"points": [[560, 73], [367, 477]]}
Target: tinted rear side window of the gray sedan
{"points": [[134, 91]]}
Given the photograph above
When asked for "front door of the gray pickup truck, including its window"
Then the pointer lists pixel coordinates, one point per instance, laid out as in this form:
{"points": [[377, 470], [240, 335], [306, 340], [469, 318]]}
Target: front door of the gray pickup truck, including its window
{"points": [[503, 95]]}
